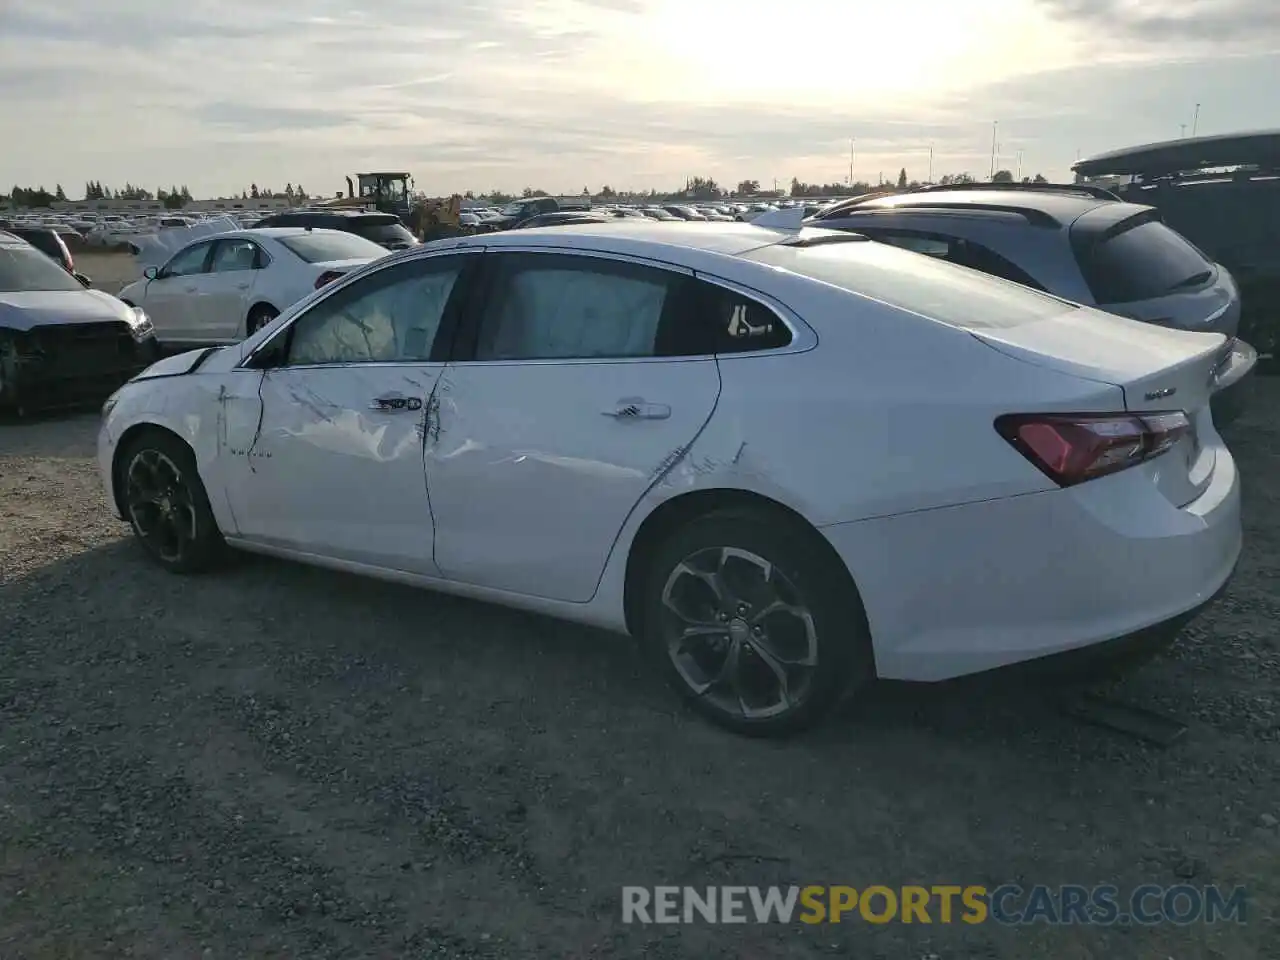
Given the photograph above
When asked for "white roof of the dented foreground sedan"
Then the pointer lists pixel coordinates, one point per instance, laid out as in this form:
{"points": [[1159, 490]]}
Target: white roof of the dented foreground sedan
{"points": [[650, 237]]}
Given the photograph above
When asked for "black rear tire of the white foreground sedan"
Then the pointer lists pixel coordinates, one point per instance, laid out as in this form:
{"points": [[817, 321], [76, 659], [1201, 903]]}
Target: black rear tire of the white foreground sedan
{"points": [[834, 636]]}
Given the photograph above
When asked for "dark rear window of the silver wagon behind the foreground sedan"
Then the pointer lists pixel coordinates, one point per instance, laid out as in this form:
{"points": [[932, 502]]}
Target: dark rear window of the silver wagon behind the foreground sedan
{"points": [[1149, 260]]}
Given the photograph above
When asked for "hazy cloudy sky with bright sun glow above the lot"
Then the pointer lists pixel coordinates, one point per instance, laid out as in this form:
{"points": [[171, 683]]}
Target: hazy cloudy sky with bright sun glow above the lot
{"points": [[636, 94]]}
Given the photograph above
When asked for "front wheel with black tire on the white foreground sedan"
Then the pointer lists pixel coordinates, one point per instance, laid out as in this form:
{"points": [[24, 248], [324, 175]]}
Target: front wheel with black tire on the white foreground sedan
{"points": [[162, 488]]}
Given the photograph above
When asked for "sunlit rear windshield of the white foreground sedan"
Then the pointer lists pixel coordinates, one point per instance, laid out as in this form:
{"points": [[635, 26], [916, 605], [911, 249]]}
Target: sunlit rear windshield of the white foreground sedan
{"points": [[920, 284]]}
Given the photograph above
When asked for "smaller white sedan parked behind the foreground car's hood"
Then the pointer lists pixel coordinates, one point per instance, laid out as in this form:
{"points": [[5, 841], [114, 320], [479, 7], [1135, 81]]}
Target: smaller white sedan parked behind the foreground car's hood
{"points": [[223, 289]]}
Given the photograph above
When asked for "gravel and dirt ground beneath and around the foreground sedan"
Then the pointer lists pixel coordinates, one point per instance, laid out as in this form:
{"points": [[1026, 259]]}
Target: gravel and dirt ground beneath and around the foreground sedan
{"points": [[284, 762]]}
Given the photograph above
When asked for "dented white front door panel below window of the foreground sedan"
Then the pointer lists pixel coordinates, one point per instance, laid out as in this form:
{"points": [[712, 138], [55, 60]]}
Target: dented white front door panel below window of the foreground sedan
{"points": [[336, 468]]}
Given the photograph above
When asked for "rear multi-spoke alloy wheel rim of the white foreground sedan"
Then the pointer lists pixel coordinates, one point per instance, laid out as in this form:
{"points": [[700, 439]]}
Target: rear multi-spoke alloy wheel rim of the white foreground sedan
{"points": [[739, 633]]}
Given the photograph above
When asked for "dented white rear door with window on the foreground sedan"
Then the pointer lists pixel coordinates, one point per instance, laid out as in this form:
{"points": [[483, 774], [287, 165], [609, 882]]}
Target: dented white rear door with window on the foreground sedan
{"points": [[557, 418]]}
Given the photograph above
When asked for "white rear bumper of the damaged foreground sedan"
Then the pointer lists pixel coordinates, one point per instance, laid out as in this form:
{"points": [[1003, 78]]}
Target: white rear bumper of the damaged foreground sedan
{"points": [[967, 589]]}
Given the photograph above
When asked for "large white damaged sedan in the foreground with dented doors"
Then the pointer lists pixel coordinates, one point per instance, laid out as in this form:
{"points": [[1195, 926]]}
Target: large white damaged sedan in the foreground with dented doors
{"points": [[788, 461]]}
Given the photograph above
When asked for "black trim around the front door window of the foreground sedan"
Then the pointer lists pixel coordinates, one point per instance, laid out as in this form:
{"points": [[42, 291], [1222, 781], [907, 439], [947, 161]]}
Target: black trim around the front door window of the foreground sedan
{"points": [[267, 355]]}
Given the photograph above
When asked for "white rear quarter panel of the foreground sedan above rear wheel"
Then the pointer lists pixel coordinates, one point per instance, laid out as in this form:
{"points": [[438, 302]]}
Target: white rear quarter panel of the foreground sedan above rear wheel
{"points": [[890, 413]]}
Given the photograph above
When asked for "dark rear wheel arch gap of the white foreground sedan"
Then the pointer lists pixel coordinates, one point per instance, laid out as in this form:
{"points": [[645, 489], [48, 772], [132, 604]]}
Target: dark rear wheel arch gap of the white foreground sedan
{"points": [[670, 515]]}
